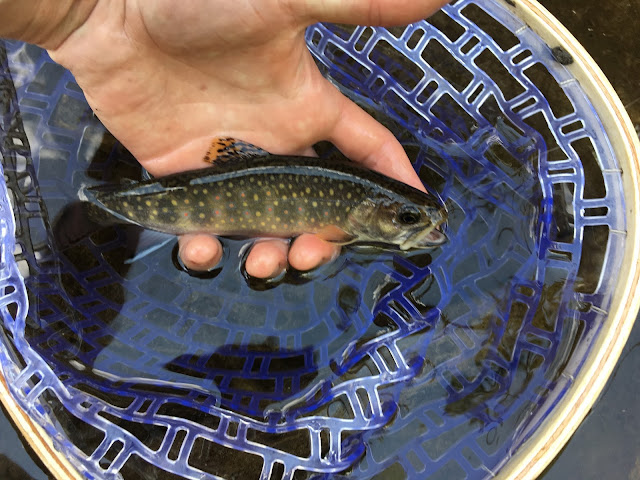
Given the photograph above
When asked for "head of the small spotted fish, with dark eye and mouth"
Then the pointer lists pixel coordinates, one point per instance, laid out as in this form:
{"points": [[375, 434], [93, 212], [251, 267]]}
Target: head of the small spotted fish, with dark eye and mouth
{"points": [[406, 224]]}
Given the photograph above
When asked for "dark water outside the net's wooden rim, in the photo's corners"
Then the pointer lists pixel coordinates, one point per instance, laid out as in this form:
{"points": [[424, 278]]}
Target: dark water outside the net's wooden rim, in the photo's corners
{"points": [[607, 445]]}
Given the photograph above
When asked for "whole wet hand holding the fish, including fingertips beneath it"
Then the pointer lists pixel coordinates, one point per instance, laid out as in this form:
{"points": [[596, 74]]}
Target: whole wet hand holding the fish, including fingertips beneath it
{"points": [[166, 77]]}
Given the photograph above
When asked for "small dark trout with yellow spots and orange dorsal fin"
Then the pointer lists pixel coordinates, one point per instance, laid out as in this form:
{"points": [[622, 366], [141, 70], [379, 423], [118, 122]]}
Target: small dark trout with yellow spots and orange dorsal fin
{"points": [[249, 192]]}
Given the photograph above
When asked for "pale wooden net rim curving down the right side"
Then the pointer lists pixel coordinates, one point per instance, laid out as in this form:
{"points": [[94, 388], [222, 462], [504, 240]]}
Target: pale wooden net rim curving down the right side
{"points": [[531, 459]]}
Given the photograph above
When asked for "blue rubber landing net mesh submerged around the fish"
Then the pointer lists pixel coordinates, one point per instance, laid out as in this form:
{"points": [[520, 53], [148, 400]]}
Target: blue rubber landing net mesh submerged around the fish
{"points": [[431, 364]]}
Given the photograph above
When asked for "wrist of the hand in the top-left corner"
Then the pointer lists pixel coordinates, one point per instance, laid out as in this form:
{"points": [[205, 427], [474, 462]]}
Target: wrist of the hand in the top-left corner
{"points": [[43, 22]]}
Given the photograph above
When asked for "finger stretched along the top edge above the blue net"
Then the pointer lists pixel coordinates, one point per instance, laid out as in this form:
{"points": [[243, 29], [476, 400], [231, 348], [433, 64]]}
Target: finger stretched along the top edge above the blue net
{"points": [[365, 12]]}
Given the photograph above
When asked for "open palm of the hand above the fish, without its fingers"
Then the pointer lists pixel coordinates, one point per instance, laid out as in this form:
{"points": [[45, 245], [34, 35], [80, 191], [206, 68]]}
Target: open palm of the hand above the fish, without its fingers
{"points": [[166, 79]]}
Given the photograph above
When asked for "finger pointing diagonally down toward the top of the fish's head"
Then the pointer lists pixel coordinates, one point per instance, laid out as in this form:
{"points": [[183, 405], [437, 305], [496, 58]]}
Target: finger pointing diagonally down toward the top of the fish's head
{"points": [[361, 138]]}
